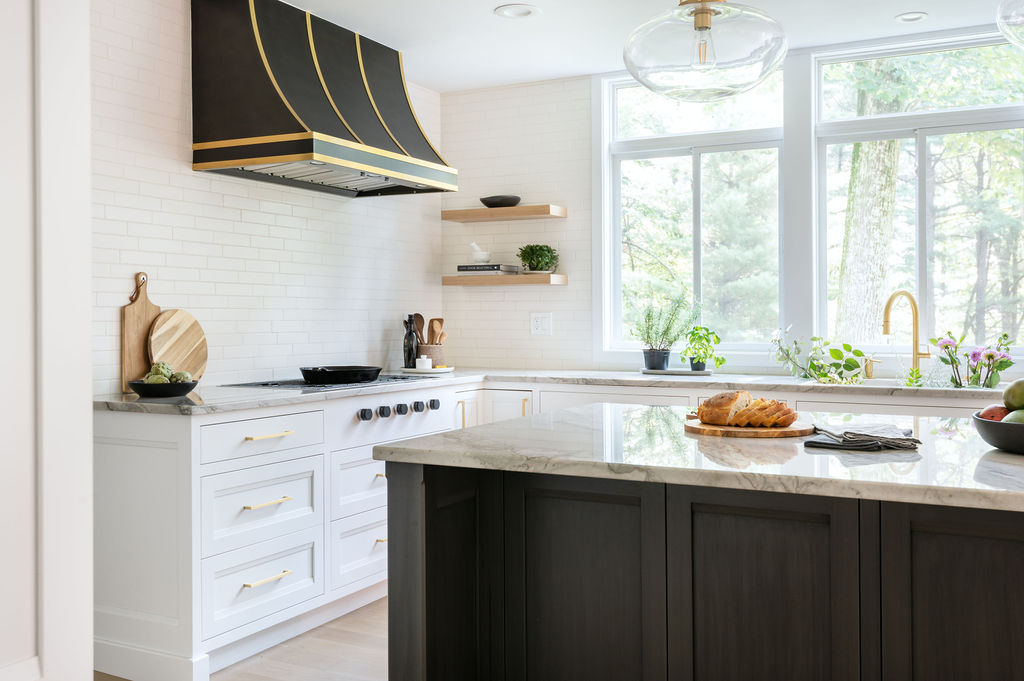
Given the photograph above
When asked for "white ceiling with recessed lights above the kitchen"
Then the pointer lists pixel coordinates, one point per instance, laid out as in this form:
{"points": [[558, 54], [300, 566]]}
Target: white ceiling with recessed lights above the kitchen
{"points": [[461, 45]]}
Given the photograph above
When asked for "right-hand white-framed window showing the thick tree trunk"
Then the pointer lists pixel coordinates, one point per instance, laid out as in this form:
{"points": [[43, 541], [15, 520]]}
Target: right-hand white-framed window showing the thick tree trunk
{"points": [[930, 202]]}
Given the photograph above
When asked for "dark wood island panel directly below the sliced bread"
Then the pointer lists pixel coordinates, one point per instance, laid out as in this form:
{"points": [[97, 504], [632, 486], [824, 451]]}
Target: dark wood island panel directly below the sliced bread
{"points": [[762, 586]]}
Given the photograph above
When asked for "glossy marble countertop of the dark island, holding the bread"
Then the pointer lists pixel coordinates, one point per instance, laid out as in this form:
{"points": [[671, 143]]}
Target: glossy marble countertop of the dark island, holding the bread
{"points": [[954, 467]]}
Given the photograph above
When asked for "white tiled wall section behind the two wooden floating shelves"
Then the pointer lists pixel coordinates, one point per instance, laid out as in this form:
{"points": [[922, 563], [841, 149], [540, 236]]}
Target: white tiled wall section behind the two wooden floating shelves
{"points": [[533, 141]]}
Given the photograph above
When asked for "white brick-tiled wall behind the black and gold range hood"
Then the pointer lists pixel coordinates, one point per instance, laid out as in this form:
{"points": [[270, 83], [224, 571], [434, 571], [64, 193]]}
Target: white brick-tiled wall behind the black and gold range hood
{"points": [[279, 278]]}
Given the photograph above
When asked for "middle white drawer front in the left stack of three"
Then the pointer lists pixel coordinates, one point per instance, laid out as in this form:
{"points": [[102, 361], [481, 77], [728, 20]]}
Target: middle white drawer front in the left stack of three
{"points": [[257, 504]]}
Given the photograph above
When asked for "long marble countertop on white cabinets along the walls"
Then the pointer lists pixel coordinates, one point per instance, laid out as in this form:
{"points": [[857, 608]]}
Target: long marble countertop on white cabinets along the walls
{"points": [[216, 399]]}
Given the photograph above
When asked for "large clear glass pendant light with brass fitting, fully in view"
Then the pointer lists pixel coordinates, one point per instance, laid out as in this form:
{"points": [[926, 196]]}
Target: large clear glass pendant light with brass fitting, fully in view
{"points": [[705, 51]]}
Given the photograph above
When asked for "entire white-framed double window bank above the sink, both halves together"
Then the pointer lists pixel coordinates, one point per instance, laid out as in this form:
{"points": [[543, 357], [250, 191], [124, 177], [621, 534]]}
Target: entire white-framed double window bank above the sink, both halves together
{"points": [[907, 172]]}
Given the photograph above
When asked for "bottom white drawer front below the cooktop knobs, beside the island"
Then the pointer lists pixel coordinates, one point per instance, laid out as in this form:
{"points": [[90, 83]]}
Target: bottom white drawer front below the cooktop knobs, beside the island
{"points": [[357, 547]]}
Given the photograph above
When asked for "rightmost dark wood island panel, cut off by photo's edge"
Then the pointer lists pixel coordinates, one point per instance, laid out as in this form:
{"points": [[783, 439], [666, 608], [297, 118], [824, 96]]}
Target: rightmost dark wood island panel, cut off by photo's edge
{"points": [[953, 594]]}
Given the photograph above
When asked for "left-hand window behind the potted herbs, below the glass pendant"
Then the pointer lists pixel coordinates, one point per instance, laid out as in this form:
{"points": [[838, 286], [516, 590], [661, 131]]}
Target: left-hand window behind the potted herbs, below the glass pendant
{"points": [[697, 215]]}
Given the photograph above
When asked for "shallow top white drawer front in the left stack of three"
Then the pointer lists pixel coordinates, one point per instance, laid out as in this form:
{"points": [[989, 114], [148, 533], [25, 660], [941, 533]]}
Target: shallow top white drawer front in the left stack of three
{"points": [[252, 437]]}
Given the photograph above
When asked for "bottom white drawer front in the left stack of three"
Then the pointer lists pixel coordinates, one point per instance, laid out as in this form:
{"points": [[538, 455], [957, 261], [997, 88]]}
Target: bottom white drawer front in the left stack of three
{"points": [[281, 573]]}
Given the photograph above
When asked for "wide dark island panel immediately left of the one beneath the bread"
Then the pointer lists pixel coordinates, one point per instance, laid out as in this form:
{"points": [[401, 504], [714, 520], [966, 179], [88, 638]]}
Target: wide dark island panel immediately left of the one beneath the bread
{"points": [[585, 579]]}
